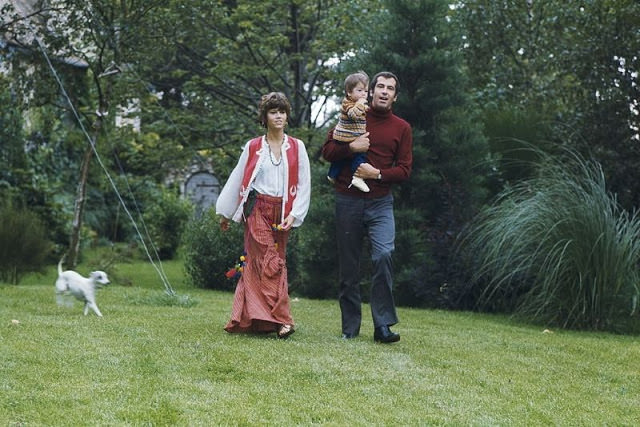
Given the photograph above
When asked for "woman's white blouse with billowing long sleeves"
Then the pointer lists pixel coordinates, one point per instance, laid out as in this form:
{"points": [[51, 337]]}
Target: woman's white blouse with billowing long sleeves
{"points": [[269, 180]]}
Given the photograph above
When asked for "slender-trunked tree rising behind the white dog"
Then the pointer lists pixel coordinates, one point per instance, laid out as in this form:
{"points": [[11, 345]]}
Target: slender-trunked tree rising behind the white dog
{"points": [[97, 34]]}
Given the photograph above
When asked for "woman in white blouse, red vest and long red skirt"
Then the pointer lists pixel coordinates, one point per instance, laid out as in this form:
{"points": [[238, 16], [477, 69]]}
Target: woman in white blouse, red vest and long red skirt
{"points": [[269, 190]]}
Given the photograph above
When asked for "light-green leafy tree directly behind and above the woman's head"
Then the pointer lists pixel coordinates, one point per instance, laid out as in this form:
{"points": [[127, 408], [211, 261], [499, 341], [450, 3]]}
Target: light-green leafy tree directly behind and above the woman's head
{"points": [[223, 56]]}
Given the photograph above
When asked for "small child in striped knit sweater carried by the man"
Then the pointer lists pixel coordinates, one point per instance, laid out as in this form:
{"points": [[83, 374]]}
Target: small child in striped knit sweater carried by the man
{"points": [[351, 124]]}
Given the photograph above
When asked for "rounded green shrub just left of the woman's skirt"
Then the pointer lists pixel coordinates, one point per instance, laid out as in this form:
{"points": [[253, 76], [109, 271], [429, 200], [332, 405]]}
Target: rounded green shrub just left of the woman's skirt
{"points": [[209, 253]]}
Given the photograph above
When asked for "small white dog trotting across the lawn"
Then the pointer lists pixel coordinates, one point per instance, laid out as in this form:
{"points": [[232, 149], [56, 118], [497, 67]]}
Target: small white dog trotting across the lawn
{"points": [[83, 288]]}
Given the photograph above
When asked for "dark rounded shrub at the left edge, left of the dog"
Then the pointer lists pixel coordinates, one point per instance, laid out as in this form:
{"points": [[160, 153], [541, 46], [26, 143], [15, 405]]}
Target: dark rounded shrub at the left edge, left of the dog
{"points": [[23, 244]]}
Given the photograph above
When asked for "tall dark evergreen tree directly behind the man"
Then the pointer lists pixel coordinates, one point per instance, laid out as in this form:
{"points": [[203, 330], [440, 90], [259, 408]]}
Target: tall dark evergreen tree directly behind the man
{"points": [[419, 45]]}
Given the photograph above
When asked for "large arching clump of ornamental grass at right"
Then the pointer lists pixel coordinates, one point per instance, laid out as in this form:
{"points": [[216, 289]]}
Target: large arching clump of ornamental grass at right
{"points": [[558, 249]]}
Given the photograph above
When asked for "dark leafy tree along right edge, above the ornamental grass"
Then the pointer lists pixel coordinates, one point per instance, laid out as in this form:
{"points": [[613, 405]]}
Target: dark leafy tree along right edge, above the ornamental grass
{"points": [[606, 63]]}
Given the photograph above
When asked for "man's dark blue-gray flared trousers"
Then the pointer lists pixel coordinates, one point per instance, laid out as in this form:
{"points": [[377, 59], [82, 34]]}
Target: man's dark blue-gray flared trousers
{"points": [[356, 218]]}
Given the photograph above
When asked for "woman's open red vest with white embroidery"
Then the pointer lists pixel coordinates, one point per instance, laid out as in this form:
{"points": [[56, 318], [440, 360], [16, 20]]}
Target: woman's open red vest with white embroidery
{"points": [[291, 173]]}
